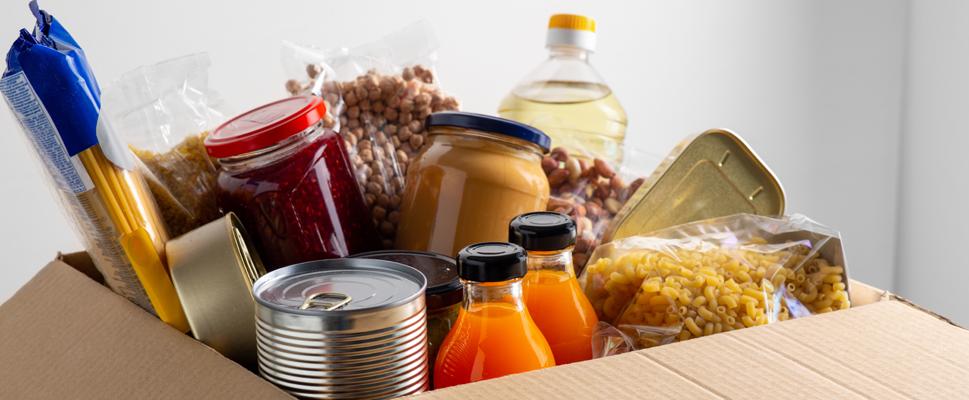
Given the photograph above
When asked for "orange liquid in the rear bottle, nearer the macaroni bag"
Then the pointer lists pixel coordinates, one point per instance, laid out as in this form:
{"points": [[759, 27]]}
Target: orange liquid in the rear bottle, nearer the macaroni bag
{"points": [[562, 313]]}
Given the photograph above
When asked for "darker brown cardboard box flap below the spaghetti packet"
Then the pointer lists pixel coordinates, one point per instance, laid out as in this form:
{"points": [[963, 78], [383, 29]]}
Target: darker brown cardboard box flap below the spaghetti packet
{"points": [[65, 336]]}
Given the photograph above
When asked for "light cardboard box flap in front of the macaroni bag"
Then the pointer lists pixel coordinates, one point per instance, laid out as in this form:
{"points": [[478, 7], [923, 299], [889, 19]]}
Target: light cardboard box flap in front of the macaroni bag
{"points": [[884, 350]]}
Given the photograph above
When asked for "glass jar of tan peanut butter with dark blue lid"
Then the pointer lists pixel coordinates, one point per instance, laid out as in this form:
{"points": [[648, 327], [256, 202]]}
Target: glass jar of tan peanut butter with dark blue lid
{"points": [[476, 174]]}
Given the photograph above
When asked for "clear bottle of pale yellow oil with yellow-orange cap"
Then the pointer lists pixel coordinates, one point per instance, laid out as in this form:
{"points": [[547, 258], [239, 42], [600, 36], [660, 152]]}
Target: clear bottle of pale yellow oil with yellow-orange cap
{"points": [[566, 98]]}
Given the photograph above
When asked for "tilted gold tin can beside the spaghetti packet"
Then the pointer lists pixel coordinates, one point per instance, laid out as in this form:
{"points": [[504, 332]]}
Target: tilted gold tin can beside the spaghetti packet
{"points": [[213, 269]]}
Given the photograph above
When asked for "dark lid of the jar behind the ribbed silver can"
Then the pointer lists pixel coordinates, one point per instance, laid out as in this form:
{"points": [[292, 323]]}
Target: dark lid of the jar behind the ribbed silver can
{"points": [[443, 286]]}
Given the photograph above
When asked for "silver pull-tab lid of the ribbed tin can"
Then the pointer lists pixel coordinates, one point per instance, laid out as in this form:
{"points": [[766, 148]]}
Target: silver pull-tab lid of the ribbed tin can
{"points": [[339, 285]]}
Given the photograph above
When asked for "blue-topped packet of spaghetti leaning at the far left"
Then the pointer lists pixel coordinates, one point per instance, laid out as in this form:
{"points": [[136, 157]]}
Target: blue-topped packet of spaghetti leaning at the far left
{"points": [[49, 86]]}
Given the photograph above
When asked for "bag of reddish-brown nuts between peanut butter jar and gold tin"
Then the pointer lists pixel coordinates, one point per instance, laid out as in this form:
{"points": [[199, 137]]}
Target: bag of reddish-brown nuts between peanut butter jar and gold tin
{"points": [[589, 190]]}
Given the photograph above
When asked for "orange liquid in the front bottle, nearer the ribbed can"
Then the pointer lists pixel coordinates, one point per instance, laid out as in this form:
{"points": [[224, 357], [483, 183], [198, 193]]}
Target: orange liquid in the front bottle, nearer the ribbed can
{"points": [[489, 341]]}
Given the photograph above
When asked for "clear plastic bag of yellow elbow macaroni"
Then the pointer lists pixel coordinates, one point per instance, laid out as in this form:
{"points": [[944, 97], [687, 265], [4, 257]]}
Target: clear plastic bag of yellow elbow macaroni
{"points": [[714, 276]]}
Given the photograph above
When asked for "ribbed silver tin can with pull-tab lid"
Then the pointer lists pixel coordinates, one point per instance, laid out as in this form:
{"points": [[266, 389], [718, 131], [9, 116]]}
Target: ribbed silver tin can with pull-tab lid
{"points": [[343, 329]]}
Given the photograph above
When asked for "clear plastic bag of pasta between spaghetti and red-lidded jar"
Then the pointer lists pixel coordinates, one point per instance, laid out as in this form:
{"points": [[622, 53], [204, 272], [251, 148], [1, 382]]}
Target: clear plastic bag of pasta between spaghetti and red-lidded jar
{"points": [[163, 112]]}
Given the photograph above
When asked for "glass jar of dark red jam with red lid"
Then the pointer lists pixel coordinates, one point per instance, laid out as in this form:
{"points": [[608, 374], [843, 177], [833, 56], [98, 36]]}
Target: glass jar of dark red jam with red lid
{"points": [[290, 182]]}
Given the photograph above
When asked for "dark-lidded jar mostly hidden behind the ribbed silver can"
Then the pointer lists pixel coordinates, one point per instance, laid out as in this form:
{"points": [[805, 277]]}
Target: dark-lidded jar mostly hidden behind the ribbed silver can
{"points": [[443, 295]]}
